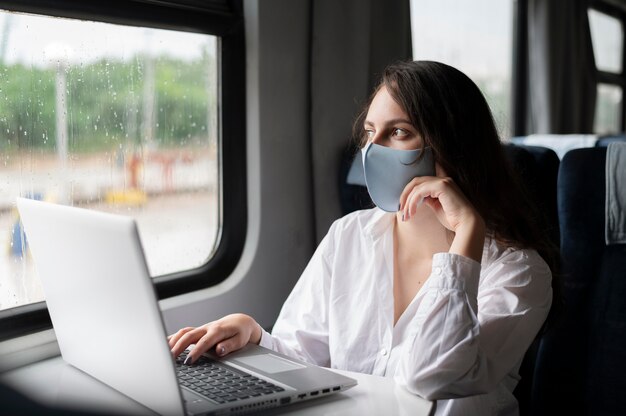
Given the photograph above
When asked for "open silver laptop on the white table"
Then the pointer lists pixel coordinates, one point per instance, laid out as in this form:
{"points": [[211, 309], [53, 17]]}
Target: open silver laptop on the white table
{"points": [[105, 314]]}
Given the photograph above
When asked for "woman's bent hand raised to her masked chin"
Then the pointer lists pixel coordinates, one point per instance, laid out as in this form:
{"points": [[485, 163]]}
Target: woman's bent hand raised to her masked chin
{"points": [[451, 208]]}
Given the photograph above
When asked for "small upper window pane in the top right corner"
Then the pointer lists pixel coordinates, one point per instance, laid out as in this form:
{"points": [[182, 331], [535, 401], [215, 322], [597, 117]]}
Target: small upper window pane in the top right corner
{"points": [[607, 36]]}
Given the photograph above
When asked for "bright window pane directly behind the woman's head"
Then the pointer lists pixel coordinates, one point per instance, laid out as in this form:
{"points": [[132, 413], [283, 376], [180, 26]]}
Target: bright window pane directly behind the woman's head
{"points": [[477, 38]]}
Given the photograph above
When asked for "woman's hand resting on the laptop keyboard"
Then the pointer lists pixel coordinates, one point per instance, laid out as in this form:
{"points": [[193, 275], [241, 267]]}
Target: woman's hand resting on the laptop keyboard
{"points": [[228, 334]]}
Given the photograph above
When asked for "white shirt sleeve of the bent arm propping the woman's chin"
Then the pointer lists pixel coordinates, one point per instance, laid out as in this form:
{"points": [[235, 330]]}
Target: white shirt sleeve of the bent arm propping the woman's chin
{"points": [[467, 340]]}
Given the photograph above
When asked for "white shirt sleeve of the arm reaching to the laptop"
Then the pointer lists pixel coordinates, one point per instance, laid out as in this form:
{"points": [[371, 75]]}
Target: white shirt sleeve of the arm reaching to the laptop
{"points": [[301, 330]]}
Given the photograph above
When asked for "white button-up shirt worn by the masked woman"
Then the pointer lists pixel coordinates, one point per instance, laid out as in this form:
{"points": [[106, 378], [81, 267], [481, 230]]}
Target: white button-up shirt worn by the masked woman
{"points": [[460, 341]]}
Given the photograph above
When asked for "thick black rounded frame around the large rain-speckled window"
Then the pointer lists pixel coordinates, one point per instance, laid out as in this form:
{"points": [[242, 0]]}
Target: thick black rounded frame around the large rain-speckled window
{"points": [[222, 18]]}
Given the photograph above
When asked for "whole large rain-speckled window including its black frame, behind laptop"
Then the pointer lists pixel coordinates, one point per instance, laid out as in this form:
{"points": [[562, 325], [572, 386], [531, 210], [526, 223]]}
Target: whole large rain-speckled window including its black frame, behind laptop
{"points": [[131, 107]]}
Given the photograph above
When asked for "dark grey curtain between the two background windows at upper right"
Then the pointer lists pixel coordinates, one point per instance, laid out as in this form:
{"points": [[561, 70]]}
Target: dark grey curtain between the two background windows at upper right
{"points": [[561, 68]]}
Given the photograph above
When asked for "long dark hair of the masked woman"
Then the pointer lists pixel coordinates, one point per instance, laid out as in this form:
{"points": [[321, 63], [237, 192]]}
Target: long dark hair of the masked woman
{"points": [[454, 119]]}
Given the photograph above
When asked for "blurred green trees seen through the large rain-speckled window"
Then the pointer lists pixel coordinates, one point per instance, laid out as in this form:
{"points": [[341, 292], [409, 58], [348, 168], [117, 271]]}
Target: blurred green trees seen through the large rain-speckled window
{"points": [[104, 104]]}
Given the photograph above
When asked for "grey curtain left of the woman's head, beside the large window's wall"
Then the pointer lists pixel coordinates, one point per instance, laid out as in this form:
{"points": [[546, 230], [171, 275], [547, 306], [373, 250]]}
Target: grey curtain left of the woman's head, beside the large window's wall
{"points": [[352, 42]]}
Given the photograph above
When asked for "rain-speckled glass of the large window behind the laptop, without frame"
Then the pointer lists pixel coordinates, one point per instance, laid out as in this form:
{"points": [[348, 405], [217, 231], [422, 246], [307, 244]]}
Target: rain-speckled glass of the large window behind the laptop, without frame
{"points": [[114, 118]]}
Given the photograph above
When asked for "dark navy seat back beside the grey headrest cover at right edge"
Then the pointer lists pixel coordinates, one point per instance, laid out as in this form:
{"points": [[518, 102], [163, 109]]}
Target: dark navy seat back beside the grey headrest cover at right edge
{"points": [[581, 361]]}
